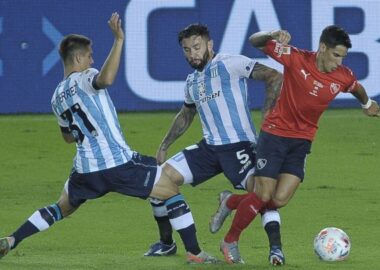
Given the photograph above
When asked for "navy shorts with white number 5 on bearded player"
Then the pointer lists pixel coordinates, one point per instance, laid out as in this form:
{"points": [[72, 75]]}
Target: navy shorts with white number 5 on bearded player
{"points": [[235, 160]]}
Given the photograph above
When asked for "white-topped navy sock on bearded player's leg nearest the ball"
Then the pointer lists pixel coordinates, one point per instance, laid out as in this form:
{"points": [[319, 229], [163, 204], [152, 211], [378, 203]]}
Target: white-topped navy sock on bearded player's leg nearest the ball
{"points": [[271, 222]]}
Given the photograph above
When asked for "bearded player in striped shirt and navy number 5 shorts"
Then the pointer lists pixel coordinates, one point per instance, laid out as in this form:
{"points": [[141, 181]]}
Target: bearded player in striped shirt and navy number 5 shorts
{"points": [[217, 90]]}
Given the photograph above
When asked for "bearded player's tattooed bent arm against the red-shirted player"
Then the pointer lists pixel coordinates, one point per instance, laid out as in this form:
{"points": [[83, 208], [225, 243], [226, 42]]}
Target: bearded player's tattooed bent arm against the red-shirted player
{"points": [[273, 82]]}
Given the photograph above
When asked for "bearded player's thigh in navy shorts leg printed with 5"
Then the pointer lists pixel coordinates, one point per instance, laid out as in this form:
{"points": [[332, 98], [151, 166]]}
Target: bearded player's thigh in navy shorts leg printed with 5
{"points": [[237, 161]]}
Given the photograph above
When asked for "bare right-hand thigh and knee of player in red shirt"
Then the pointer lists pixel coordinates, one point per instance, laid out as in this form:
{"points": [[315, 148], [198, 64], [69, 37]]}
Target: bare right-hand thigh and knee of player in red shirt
{"points": [[286, 187]]}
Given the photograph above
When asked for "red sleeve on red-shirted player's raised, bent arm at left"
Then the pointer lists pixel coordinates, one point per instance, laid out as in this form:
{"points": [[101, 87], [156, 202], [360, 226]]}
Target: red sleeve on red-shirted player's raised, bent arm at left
{"points": [[280, 52]]}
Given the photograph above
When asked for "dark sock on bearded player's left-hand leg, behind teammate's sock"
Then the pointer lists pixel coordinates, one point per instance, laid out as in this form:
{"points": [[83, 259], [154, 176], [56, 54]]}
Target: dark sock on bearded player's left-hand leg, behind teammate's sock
{"points": [[161, 216]]}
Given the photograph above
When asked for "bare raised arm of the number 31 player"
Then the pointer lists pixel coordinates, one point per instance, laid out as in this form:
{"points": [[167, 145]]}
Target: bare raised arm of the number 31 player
{"points": [[110, 67]]}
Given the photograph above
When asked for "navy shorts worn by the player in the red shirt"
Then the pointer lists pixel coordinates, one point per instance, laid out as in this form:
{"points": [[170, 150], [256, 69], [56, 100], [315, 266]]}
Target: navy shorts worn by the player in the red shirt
{"points": [[276, 155]]}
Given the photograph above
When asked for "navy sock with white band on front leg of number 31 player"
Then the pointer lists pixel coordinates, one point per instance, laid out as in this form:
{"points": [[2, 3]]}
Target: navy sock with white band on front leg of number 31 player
{"points": [[182, 221]]}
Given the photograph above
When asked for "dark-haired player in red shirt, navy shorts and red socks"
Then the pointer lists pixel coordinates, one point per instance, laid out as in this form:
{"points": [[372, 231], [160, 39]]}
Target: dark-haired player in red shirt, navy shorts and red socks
{"points": [[311, 81]]}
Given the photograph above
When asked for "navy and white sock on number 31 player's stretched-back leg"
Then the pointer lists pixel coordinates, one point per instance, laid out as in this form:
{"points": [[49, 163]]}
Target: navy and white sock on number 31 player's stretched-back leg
{"points": [[41, 220]]}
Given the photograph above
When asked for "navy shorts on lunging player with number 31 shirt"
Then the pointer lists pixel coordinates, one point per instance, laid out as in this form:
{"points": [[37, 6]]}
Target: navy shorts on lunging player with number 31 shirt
{"points": [[134, 178]]}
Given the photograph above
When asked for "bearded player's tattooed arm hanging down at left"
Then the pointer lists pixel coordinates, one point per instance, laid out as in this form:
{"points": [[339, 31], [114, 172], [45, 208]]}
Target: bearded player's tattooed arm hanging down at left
{"points": [[181, 123]]}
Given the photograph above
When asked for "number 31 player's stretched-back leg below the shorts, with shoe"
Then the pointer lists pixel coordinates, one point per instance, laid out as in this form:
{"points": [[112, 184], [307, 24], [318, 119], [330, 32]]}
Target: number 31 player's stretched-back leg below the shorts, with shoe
{"points": [[39, 221]]}
